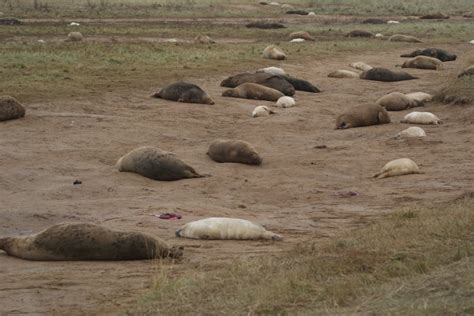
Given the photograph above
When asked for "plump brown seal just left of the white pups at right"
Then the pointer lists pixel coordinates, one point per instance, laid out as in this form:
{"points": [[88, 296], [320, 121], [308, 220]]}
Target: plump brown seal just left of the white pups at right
{"points": [[363, 115]]}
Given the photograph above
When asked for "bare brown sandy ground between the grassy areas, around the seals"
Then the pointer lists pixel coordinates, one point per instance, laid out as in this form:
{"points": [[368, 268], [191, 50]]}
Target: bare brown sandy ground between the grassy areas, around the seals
{"points": [[294, 192]]}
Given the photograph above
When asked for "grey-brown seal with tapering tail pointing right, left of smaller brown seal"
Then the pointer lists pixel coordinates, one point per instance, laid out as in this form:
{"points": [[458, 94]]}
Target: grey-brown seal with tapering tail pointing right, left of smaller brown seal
{"points": [[156, 164]]}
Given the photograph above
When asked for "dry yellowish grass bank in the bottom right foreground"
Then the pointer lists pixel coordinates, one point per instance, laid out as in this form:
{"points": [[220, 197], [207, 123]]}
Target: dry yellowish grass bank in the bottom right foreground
{"points": [[400, 263]]}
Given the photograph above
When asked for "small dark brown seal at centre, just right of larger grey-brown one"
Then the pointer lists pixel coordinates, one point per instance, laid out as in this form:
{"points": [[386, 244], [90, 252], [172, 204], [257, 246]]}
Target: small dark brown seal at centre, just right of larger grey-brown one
{"points": [[239, 151]]}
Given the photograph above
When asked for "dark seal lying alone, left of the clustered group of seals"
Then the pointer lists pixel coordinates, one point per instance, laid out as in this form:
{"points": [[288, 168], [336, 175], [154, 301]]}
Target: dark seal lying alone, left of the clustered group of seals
{"points": [[184, 92]]}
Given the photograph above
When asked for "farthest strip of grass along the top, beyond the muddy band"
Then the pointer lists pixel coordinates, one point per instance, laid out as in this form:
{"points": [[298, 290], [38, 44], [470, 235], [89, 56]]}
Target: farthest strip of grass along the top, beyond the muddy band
{"points": [[223, 8]]}
